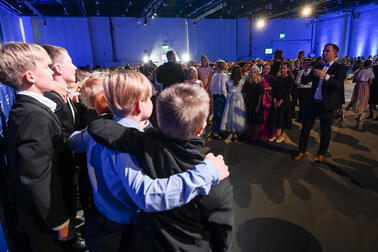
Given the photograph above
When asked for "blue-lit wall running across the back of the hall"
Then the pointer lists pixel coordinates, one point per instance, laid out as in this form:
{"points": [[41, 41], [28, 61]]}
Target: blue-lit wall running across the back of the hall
{"points": [[89, 39]]}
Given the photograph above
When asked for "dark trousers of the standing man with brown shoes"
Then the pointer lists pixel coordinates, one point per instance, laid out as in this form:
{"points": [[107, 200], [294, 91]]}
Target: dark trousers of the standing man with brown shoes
{"points": [[312, 111]]}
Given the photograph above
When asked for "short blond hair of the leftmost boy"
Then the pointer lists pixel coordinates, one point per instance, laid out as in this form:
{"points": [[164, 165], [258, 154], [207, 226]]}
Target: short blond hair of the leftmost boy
{"points": [[15, 59]]}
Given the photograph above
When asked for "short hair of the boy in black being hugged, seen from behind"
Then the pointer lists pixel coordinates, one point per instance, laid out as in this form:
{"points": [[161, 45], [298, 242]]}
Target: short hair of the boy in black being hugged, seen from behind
{"points": [[181, 110]]}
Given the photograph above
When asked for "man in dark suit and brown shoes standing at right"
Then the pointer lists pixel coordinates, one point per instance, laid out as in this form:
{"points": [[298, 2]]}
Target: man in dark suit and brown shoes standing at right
{"points": [[325, 97]]}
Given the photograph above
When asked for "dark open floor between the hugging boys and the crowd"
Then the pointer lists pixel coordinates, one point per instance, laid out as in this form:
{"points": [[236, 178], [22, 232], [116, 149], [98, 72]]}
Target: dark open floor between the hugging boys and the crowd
{"points": [[285, 205]]}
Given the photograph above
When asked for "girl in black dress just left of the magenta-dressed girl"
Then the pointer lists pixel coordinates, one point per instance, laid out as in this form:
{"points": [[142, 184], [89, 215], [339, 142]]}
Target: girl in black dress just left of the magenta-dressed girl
{"points": [[253, 92]]}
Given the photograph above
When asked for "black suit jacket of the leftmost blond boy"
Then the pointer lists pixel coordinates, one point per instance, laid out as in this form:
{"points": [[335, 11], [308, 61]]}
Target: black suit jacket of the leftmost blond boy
{"points": [[34, 145]]}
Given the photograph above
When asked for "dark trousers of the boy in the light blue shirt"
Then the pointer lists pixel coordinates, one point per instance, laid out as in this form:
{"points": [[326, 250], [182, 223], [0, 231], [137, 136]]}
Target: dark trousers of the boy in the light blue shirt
{"points": [[104, 235]]}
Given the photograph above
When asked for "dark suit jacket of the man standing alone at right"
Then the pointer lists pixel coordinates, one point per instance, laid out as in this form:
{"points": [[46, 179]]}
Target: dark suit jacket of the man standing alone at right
{"points": [[332, 90]]}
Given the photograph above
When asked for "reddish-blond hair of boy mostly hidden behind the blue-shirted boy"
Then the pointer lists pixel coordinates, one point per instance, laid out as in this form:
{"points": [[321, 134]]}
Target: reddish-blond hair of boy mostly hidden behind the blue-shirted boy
{"points": [[91, 87]]}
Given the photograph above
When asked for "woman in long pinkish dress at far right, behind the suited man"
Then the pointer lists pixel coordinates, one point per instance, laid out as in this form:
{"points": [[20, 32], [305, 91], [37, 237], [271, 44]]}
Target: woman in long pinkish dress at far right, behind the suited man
{"points": [[360, 97]]}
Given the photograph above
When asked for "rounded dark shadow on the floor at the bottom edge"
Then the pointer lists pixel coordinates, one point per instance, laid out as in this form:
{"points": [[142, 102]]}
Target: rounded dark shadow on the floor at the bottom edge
{"points": [[275, 235]]}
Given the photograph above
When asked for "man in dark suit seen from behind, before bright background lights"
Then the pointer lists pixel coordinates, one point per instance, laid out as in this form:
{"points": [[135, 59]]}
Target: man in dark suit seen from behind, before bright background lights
{"points": [[171, 72]]}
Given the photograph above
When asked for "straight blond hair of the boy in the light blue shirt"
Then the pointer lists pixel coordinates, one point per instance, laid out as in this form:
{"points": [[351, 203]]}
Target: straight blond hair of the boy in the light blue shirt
{"points": [[124, 88]]}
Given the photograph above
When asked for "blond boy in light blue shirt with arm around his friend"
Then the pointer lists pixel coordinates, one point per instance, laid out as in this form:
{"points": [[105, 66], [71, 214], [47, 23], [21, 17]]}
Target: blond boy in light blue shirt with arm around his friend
{"points": [[120, 188]]}
